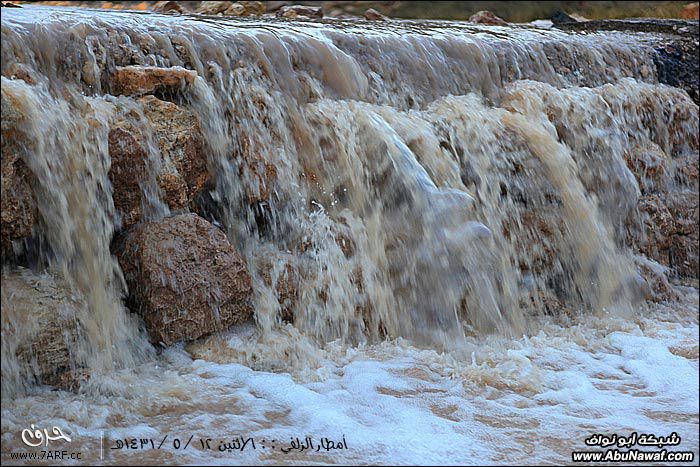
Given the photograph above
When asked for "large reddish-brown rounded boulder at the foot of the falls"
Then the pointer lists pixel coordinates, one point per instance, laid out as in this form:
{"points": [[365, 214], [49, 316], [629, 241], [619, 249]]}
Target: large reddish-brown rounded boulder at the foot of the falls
{"points": [[185, 279]]}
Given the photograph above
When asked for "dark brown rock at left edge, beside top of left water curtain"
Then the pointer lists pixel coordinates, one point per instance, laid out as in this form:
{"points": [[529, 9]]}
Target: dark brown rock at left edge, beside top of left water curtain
{"points": [[18, 205]]}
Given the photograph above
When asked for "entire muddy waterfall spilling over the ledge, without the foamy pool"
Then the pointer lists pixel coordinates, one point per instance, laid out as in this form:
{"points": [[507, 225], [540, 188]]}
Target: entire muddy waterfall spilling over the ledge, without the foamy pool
{"points": [[412, 146]]}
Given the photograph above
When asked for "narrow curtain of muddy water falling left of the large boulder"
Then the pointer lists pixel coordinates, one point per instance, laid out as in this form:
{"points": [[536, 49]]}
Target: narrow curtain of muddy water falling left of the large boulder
{"points": [[67, 152]]}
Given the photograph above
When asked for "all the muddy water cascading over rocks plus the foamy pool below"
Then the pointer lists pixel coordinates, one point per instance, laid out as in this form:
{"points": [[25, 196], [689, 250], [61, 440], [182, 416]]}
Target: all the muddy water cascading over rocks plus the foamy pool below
{"points": [[426, 184]]}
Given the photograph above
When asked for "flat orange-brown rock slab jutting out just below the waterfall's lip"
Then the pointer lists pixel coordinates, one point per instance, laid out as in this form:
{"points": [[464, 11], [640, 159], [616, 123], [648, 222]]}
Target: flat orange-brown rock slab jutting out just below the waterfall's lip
{"points": [[136, 80]]}
